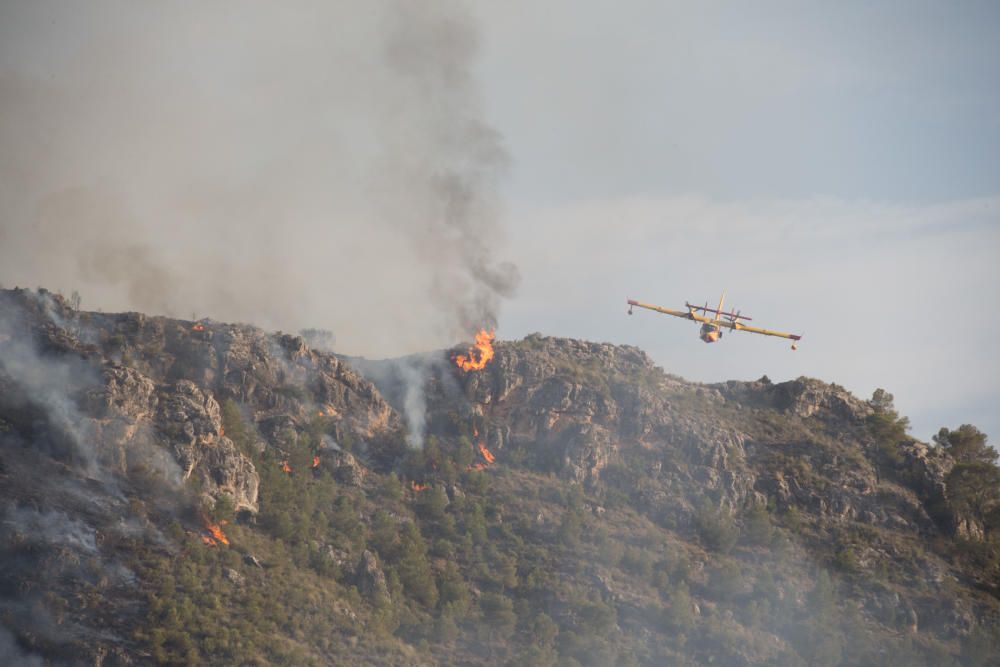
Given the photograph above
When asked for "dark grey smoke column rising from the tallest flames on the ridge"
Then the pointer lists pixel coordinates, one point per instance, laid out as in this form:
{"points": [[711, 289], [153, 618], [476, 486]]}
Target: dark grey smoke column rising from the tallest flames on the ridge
{"points": [[441, 165]]}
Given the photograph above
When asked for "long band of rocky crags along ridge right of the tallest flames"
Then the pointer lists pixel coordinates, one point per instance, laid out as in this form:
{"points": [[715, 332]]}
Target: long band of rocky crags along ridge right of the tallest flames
{"points": [[587, 410]]}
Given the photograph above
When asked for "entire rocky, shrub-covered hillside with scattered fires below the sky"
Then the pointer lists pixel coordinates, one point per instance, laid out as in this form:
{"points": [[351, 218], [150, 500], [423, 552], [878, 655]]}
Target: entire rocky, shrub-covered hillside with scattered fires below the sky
{"points": [[179, 492]]}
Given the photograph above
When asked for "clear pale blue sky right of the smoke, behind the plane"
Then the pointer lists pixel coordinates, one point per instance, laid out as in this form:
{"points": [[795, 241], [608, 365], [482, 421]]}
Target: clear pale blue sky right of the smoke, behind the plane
{"points": [[834, 166]]}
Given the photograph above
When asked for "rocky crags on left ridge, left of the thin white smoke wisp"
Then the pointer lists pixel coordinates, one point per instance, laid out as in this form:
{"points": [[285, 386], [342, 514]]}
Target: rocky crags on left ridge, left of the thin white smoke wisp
{"points": [[155, 385]]}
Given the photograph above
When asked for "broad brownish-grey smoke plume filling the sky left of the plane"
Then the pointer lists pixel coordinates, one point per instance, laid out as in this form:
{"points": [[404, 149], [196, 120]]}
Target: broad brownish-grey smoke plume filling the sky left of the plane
{"points": [[290, 164]]}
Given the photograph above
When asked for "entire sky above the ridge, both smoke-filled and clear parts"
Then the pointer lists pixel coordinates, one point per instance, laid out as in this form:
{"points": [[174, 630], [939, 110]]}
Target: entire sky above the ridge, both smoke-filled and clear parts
{"points": [[400, 173]]}
